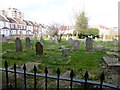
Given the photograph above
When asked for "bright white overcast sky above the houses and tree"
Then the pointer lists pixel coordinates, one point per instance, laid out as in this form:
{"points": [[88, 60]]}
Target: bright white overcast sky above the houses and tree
{"points": [[103, 12]]}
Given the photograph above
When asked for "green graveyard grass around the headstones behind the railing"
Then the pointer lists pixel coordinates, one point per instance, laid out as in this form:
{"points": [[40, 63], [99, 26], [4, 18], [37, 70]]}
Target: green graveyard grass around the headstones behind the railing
{"points": [[79, 60]]}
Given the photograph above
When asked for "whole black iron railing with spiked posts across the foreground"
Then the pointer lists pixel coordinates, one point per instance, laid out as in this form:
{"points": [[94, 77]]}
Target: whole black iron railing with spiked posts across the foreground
{"points": [[86, 82]]}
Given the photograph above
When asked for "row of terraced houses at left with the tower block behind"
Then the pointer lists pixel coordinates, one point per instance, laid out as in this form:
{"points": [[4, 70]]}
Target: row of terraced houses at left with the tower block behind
{"points": [[12, 23]]}
